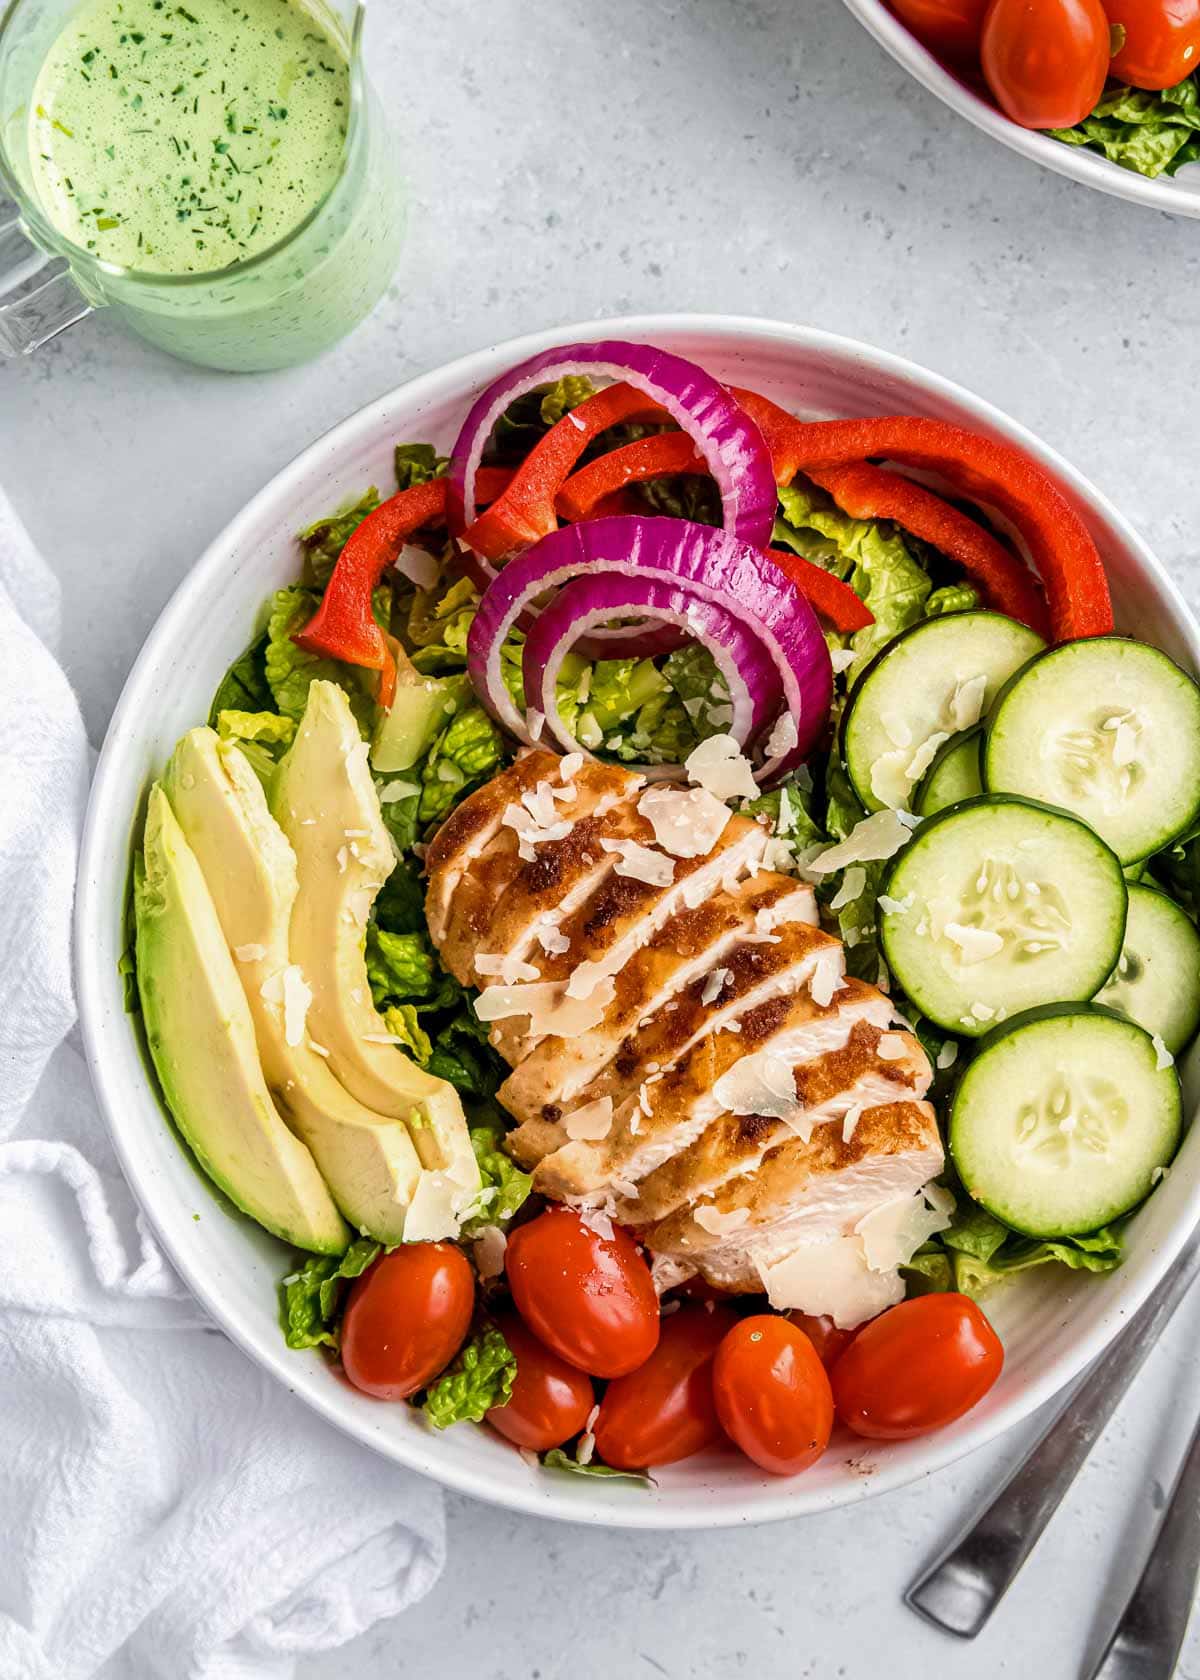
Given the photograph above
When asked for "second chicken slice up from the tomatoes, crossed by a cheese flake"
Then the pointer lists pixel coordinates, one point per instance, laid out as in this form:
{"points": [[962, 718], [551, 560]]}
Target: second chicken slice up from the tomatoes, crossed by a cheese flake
{"points": [[829, 1089]]}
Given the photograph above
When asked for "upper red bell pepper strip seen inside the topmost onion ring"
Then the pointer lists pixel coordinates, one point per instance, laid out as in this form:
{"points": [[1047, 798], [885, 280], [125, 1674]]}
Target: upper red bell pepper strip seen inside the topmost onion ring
{"points": [[527, 510]]}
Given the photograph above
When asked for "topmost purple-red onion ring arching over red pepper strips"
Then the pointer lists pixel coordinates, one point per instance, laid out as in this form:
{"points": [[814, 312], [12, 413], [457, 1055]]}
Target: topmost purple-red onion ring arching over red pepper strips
{"points": [[729, 439]]}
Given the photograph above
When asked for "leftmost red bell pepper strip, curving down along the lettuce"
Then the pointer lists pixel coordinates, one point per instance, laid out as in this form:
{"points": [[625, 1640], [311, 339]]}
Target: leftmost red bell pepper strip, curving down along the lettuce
{"points": [[344, 626]]}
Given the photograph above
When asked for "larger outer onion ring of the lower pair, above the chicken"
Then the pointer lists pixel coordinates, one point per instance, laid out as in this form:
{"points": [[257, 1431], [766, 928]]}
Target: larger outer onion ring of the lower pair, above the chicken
{"points": [[705, 564]]}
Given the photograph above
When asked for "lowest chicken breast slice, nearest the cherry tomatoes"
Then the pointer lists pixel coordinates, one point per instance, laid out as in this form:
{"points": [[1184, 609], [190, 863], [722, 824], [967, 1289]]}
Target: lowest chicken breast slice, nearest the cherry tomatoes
{"points": [[803, 1194]]}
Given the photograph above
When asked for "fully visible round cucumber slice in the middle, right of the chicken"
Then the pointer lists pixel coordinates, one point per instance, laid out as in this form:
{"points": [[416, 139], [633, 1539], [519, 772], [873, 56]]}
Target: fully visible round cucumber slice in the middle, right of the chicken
{"points": [[999, 906]]}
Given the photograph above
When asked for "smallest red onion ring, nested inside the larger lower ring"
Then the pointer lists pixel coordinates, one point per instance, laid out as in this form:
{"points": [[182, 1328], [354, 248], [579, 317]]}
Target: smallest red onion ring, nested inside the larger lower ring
{"points": [[740, 656]]}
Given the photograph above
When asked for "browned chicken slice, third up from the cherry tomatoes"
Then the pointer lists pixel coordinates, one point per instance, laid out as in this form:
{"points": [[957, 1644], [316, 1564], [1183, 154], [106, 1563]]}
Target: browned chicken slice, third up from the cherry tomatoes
{"points": [[673, 1110]]}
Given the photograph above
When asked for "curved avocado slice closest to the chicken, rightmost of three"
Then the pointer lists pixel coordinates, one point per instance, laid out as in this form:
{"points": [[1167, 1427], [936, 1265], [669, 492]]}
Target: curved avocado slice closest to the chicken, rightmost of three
{"points": [[325, 802]]}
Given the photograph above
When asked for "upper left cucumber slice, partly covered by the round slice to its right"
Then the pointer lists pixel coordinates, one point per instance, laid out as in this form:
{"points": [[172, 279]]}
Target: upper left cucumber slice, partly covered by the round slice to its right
{"points": [[927, 686]]}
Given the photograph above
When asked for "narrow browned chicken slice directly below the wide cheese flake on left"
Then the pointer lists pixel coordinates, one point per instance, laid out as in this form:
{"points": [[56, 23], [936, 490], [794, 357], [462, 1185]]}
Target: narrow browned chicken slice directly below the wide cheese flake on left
{"points": [[695, 943]]}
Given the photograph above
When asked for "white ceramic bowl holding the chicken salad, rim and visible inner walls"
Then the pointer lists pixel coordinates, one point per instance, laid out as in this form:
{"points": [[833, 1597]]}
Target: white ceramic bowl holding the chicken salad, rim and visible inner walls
{"points": [[1053, 1325]]}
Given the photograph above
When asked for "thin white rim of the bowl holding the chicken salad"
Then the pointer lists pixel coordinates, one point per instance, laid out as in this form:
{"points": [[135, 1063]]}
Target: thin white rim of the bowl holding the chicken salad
{"points": [[108, 811]]}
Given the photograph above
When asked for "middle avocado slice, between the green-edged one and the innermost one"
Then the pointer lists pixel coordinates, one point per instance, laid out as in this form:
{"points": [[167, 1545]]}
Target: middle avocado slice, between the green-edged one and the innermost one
{"points": [[367, 1160]]}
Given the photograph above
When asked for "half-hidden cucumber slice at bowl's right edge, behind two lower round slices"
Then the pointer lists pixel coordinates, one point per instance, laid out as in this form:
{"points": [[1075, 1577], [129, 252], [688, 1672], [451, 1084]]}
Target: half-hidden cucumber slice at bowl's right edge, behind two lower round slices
{"points": [[1157, 980]]}
